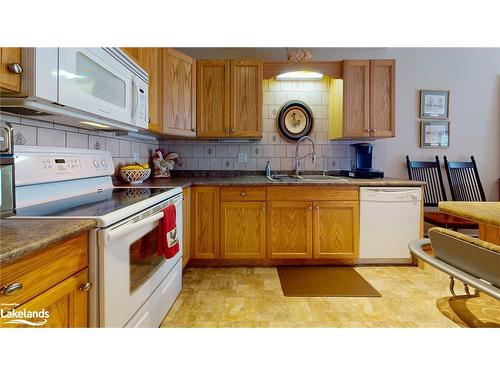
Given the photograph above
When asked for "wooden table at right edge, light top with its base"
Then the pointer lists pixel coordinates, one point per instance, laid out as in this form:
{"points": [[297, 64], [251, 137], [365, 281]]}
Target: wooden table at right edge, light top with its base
{"points": [[486, 214]]}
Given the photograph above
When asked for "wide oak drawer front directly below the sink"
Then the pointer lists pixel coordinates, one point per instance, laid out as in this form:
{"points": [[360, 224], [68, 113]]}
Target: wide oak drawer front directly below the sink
{"points": [[312, 193]]}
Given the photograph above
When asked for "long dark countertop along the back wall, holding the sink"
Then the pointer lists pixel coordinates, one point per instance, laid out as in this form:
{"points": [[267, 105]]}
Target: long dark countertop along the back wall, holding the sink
{"points": [[262, 180]]}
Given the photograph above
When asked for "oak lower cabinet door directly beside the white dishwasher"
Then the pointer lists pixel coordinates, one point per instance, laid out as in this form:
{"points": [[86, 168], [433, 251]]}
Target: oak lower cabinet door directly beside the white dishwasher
{"points": [[335, 229]]}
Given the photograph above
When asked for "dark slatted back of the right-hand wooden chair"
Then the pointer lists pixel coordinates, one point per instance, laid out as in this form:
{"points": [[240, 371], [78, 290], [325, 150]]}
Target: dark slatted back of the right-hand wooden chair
{"points": [[465, 184]]}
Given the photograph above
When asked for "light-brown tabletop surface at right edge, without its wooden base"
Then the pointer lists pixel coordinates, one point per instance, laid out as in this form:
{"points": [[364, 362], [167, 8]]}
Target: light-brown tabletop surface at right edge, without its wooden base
{"points": [[481, 212]]}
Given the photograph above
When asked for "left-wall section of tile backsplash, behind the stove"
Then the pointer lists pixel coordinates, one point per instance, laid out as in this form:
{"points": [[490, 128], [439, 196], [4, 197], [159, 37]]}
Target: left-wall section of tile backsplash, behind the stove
{"points": [[30, 132]]}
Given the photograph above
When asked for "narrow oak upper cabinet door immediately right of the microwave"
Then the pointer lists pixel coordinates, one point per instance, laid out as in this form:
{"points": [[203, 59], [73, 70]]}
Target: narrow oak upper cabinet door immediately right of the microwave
{"points": [[150, 59]]}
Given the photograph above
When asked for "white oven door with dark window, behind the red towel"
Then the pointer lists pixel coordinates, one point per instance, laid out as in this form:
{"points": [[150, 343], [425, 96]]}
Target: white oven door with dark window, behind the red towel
{"points": [[130, 270]]}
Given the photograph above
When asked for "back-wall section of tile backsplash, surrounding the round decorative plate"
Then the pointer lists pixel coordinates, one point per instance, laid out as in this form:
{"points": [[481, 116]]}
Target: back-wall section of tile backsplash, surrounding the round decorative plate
{"points": [[214, 155]]}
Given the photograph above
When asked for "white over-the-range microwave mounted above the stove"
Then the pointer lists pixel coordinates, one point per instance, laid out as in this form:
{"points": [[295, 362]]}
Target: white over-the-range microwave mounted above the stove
{"points": [[99, 87]]}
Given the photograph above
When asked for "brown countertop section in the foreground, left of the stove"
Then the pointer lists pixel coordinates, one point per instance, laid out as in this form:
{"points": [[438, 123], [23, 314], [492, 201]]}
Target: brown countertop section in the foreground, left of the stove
{"points": [[23, 237]]}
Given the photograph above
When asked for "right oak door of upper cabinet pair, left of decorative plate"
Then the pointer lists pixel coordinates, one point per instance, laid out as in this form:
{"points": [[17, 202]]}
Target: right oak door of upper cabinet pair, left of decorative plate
{"points": [[246, 98]]}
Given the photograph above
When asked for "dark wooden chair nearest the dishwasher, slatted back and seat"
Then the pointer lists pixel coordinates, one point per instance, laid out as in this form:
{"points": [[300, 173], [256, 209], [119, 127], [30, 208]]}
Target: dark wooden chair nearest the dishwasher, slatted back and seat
{"points": [[434, 192]]}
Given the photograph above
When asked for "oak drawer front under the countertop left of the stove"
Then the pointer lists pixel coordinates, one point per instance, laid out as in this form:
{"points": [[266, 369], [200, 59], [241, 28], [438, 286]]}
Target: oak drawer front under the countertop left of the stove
{"points": [[43, 270]]}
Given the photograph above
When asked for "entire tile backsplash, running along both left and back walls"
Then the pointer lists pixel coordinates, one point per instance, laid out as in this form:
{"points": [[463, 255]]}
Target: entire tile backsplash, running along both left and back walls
{"points": [[210, 154]]}
